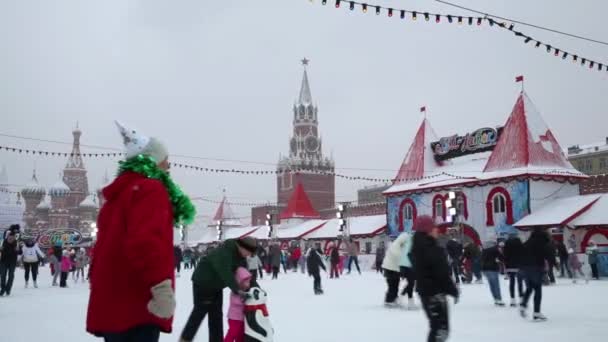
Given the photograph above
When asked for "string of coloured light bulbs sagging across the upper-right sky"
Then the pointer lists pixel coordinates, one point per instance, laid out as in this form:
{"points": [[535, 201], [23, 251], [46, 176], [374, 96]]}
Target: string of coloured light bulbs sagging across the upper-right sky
{"points": [[404, 14]]}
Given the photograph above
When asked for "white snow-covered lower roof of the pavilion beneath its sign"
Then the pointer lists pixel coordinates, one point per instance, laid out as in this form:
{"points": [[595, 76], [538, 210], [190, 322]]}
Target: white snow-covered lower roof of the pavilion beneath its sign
{"points": [[470, 169]]}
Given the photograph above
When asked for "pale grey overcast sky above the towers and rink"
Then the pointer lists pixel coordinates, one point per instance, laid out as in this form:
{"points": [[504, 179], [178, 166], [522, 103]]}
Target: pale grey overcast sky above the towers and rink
{"points": [[218, 79]]}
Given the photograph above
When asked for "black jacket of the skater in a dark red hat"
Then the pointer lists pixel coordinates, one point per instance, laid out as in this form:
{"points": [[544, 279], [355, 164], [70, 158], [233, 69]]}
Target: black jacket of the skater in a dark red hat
{"points": [[431, 267]]}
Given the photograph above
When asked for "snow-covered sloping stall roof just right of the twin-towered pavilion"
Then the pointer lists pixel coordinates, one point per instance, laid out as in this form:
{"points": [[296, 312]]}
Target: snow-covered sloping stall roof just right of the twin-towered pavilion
{"points": [[557, 212]]}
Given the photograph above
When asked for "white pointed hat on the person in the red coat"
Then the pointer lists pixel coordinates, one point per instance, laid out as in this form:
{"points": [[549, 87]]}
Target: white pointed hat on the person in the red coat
{"points": [[136, 143]]}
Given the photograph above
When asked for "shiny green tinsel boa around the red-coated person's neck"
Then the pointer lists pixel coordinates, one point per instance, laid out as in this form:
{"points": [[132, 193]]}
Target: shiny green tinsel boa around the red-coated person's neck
{"points": [[183, 209]]}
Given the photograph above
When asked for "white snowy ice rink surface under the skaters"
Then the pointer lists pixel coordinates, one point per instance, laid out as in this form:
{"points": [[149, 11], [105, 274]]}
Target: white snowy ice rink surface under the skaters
{"points": [[350, 310]]}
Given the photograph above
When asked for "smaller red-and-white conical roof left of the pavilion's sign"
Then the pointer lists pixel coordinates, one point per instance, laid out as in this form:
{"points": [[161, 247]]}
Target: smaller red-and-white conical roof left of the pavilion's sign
{"points": [[419, 158]]}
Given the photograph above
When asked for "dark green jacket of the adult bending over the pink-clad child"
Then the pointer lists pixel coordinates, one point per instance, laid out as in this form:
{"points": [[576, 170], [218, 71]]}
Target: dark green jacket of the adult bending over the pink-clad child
{"points": [[216, 270]]}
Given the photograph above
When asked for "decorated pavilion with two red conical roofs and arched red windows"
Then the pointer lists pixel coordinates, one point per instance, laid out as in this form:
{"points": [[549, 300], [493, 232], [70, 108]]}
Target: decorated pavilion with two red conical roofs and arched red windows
{"points": [[499, 175]]}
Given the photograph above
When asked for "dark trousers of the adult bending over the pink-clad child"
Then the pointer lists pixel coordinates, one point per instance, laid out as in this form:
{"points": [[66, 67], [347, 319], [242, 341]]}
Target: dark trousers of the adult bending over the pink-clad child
{"points": [[205, 302]]}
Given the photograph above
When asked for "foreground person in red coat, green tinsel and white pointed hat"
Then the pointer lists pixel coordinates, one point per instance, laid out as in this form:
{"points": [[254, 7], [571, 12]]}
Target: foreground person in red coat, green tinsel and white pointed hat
{"points": [[132, 273]]}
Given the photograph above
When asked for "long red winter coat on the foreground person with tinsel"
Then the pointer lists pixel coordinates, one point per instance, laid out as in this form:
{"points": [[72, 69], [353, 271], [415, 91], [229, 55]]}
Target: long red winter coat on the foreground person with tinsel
{"points": [[133, 252]]}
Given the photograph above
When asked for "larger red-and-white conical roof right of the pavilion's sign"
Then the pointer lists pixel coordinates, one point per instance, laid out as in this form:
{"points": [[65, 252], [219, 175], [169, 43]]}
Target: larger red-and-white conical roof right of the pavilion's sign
{"points": [[526, 141]]}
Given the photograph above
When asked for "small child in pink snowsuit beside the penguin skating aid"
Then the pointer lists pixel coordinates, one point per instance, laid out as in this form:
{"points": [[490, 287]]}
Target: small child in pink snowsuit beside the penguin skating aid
{"points": [[236, 310]]}
